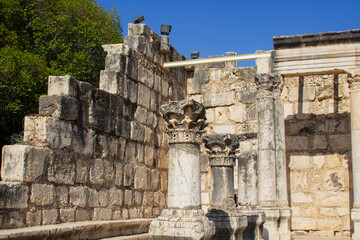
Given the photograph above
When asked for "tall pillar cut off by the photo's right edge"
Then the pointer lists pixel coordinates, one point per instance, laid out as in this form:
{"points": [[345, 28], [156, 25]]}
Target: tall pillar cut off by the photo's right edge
{"points": [[354, 81]]}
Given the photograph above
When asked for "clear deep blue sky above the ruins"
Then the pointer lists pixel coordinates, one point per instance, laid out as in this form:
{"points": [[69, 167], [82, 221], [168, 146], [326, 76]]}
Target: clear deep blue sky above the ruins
{"points": [[243, 26]]}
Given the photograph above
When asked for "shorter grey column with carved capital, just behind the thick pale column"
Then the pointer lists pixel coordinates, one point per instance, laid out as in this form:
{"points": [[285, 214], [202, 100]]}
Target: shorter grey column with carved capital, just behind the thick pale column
{"points": [[229, 223]]}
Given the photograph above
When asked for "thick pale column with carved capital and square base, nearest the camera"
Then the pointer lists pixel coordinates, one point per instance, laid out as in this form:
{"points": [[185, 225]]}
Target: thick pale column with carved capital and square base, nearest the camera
{"points": [[183, 219]]}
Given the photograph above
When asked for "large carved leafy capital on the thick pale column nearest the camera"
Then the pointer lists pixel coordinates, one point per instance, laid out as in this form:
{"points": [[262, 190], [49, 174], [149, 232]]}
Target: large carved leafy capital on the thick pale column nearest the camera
{"points": [[185, 121]]}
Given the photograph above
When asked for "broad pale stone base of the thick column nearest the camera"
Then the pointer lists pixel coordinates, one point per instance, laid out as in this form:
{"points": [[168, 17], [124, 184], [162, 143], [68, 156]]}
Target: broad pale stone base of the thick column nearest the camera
{"points": [[181, 224]]}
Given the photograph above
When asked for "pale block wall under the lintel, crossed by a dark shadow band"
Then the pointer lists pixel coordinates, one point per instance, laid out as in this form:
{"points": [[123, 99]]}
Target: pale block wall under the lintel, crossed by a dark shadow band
{"points": [[318, 151]]}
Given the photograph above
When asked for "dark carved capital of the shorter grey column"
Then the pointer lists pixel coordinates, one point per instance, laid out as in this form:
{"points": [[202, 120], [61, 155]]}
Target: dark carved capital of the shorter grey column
{"points": [[221, 148]]}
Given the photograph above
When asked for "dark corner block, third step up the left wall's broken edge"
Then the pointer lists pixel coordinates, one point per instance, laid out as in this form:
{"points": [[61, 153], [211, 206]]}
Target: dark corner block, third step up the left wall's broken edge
{"points": [[59, 106]]}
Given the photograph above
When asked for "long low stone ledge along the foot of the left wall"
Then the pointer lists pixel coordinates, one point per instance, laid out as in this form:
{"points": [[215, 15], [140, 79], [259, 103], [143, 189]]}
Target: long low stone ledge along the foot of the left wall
{"points": [[82, 230]]}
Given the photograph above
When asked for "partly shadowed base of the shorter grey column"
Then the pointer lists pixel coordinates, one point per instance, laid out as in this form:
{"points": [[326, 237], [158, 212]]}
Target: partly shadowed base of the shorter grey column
{"points": [[228, 224]]}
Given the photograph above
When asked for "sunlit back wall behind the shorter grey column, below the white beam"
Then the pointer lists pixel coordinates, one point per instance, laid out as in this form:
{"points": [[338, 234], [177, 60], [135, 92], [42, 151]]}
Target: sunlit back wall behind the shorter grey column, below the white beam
{"points": [[229, 96]]}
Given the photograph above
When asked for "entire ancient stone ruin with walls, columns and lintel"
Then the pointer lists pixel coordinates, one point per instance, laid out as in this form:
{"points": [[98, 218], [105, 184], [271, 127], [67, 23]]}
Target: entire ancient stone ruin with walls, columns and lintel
{"points": [[208, 151]]}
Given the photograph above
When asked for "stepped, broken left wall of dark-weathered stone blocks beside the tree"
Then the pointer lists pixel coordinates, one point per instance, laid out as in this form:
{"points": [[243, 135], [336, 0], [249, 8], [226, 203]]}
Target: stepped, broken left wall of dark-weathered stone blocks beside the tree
{"points": [[96, 154]]}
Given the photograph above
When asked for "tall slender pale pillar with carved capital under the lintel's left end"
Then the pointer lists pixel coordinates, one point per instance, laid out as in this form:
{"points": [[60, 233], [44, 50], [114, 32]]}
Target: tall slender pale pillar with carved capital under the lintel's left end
{"points": [[272, 180]]}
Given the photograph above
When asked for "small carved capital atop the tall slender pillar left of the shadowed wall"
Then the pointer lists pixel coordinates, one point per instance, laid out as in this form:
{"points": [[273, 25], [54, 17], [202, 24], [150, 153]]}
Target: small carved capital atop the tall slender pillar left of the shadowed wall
{"points": [[269, 84]]}
